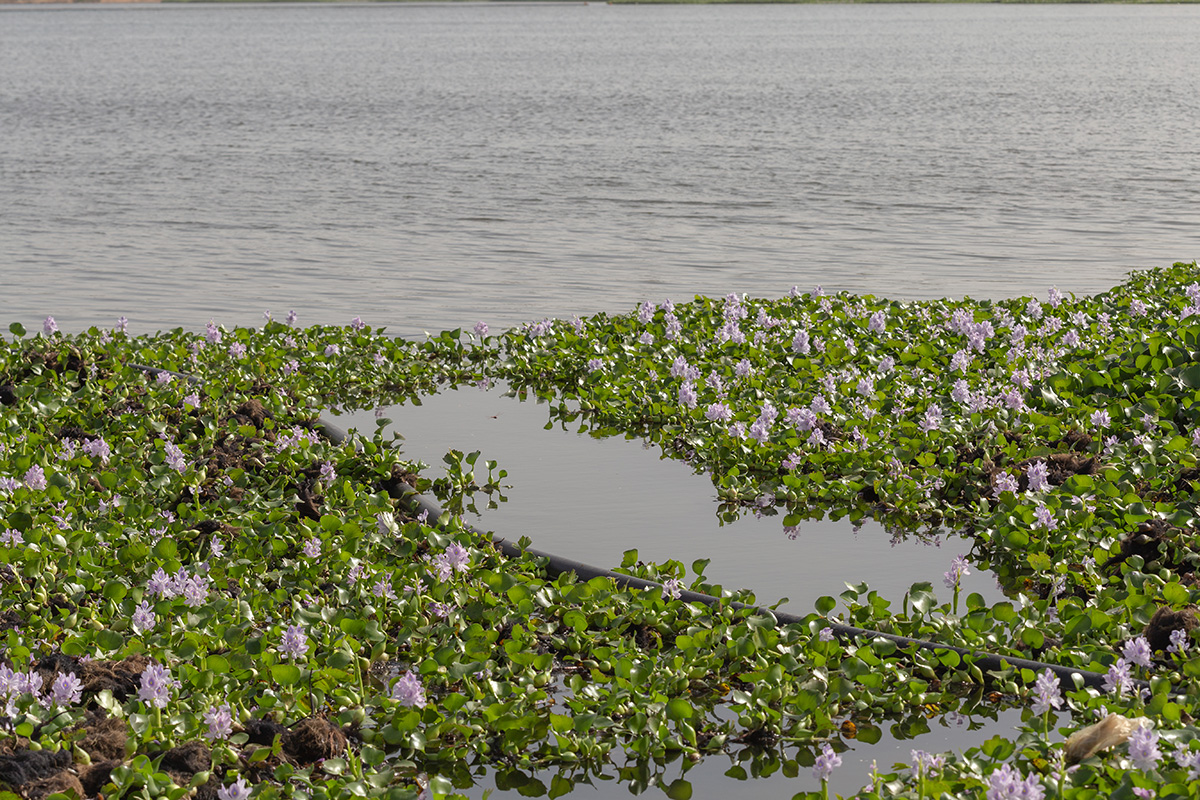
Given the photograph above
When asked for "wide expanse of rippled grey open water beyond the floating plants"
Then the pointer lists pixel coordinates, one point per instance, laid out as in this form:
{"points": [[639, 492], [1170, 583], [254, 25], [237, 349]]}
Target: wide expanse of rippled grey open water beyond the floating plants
{"points": [[429, 166]]}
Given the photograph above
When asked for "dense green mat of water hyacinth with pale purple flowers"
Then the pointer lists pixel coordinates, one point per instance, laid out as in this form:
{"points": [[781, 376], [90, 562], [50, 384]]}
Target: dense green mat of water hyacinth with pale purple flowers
{"points": [[200, 593]]}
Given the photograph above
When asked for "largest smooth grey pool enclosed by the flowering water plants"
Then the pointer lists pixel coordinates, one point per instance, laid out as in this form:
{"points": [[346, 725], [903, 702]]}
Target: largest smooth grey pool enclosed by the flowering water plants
{"points": [[592, 500]]}
